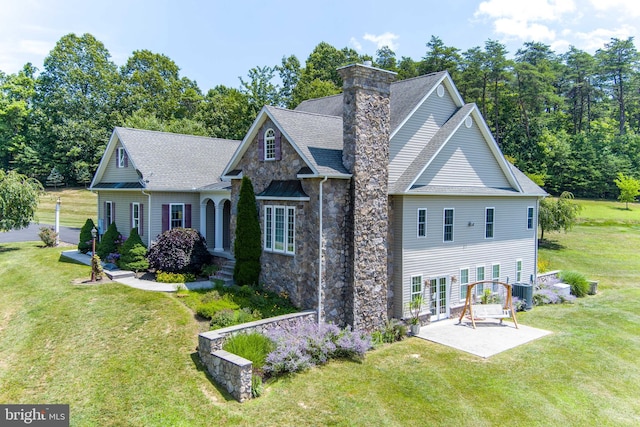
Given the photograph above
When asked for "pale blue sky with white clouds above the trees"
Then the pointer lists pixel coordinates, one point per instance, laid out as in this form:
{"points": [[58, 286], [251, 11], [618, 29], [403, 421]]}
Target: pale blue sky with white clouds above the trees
{"points": [[217, 41]]}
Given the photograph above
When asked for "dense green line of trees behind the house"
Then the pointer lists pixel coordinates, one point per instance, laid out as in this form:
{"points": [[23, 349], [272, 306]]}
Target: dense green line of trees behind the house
{"points": [[571, 121]]}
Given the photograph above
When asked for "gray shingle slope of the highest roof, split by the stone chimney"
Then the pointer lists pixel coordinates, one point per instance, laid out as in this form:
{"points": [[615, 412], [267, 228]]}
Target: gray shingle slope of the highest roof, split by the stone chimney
{"points": [[405, 96]]}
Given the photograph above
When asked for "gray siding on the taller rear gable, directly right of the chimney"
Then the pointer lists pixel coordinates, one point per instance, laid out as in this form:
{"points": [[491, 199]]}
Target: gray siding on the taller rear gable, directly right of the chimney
{"points": [[417, 131]]}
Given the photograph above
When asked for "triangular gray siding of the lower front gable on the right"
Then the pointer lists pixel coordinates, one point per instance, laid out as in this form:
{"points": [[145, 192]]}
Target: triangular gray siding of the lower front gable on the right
{"points": [[465, 160]]}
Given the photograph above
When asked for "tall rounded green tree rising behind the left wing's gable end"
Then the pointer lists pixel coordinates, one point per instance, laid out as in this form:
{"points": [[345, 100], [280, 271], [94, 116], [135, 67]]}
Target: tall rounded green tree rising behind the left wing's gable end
{"points": [[76, 95]]}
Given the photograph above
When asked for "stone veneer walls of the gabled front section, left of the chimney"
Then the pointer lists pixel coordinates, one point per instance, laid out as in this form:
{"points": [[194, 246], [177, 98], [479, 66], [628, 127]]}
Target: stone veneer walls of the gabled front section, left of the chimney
{"points": [[298, 275]]}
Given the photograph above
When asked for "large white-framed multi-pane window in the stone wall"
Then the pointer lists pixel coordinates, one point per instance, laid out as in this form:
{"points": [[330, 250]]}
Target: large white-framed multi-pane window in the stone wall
{"points": [[279, 229]]}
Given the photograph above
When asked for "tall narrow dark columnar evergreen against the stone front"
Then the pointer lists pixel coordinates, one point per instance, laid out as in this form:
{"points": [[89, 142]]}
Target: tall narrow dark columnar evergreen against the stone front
{"points": [[248, 243]]}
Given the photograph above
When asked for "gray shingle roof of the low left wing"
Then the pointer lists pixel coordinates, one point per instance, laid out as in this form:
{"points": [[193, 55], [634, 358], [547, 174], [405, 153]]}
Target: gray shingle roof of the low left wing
{"points": [[170, 161]]}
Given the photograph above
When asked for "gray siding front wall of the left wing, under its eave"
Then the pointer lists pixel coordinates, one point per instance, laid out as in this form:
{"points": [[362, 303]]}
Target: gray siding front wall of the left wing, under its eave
{"points": [[123, 199]]}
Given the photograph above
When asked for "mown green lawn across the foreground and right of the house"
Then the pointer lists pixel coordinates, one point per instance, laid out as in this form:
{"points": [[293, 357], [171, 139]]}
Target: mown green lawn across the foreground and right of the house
{"points": [[121, 356]]}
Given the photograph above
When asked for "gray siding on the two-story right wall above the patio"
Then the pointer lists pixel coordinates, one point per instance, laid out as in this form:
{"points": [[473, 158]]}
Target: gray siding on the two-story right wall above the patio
{"points": [[431, 257]]}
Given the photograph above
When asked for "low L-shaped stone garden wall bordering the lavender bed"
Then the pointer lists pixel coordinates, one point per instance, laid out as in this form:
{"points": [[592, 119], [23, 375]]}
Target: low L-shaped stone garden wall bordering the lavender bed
{"points": [[229, 370]]}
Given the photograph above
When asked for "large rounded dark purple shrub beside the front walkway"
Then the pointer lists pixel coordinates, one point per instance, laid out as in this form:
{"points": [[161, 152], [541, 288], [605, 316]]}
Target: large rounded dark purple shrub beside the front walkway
{"points": [[179, 250]]}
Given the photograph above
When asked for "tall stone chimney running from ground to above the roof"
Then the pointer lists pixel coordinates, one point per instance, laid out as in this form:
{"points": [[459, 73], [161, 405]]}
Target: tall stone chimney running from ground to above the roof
{"points": [[366, 131]]}
